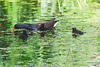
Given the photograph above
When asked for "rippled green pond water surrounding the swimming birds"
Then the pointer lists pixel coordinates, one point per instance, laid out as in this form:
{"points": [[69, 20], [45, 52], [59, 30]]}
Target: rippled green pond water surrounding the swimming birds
{"points": [[52, 50]]}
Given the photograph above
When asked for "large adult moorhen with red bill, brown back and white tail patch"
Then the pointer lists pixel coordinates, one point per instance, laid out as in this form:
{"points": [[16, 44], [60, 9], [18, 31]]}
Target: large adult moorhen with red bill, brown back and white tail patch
{"points": [[50, 24]]}
